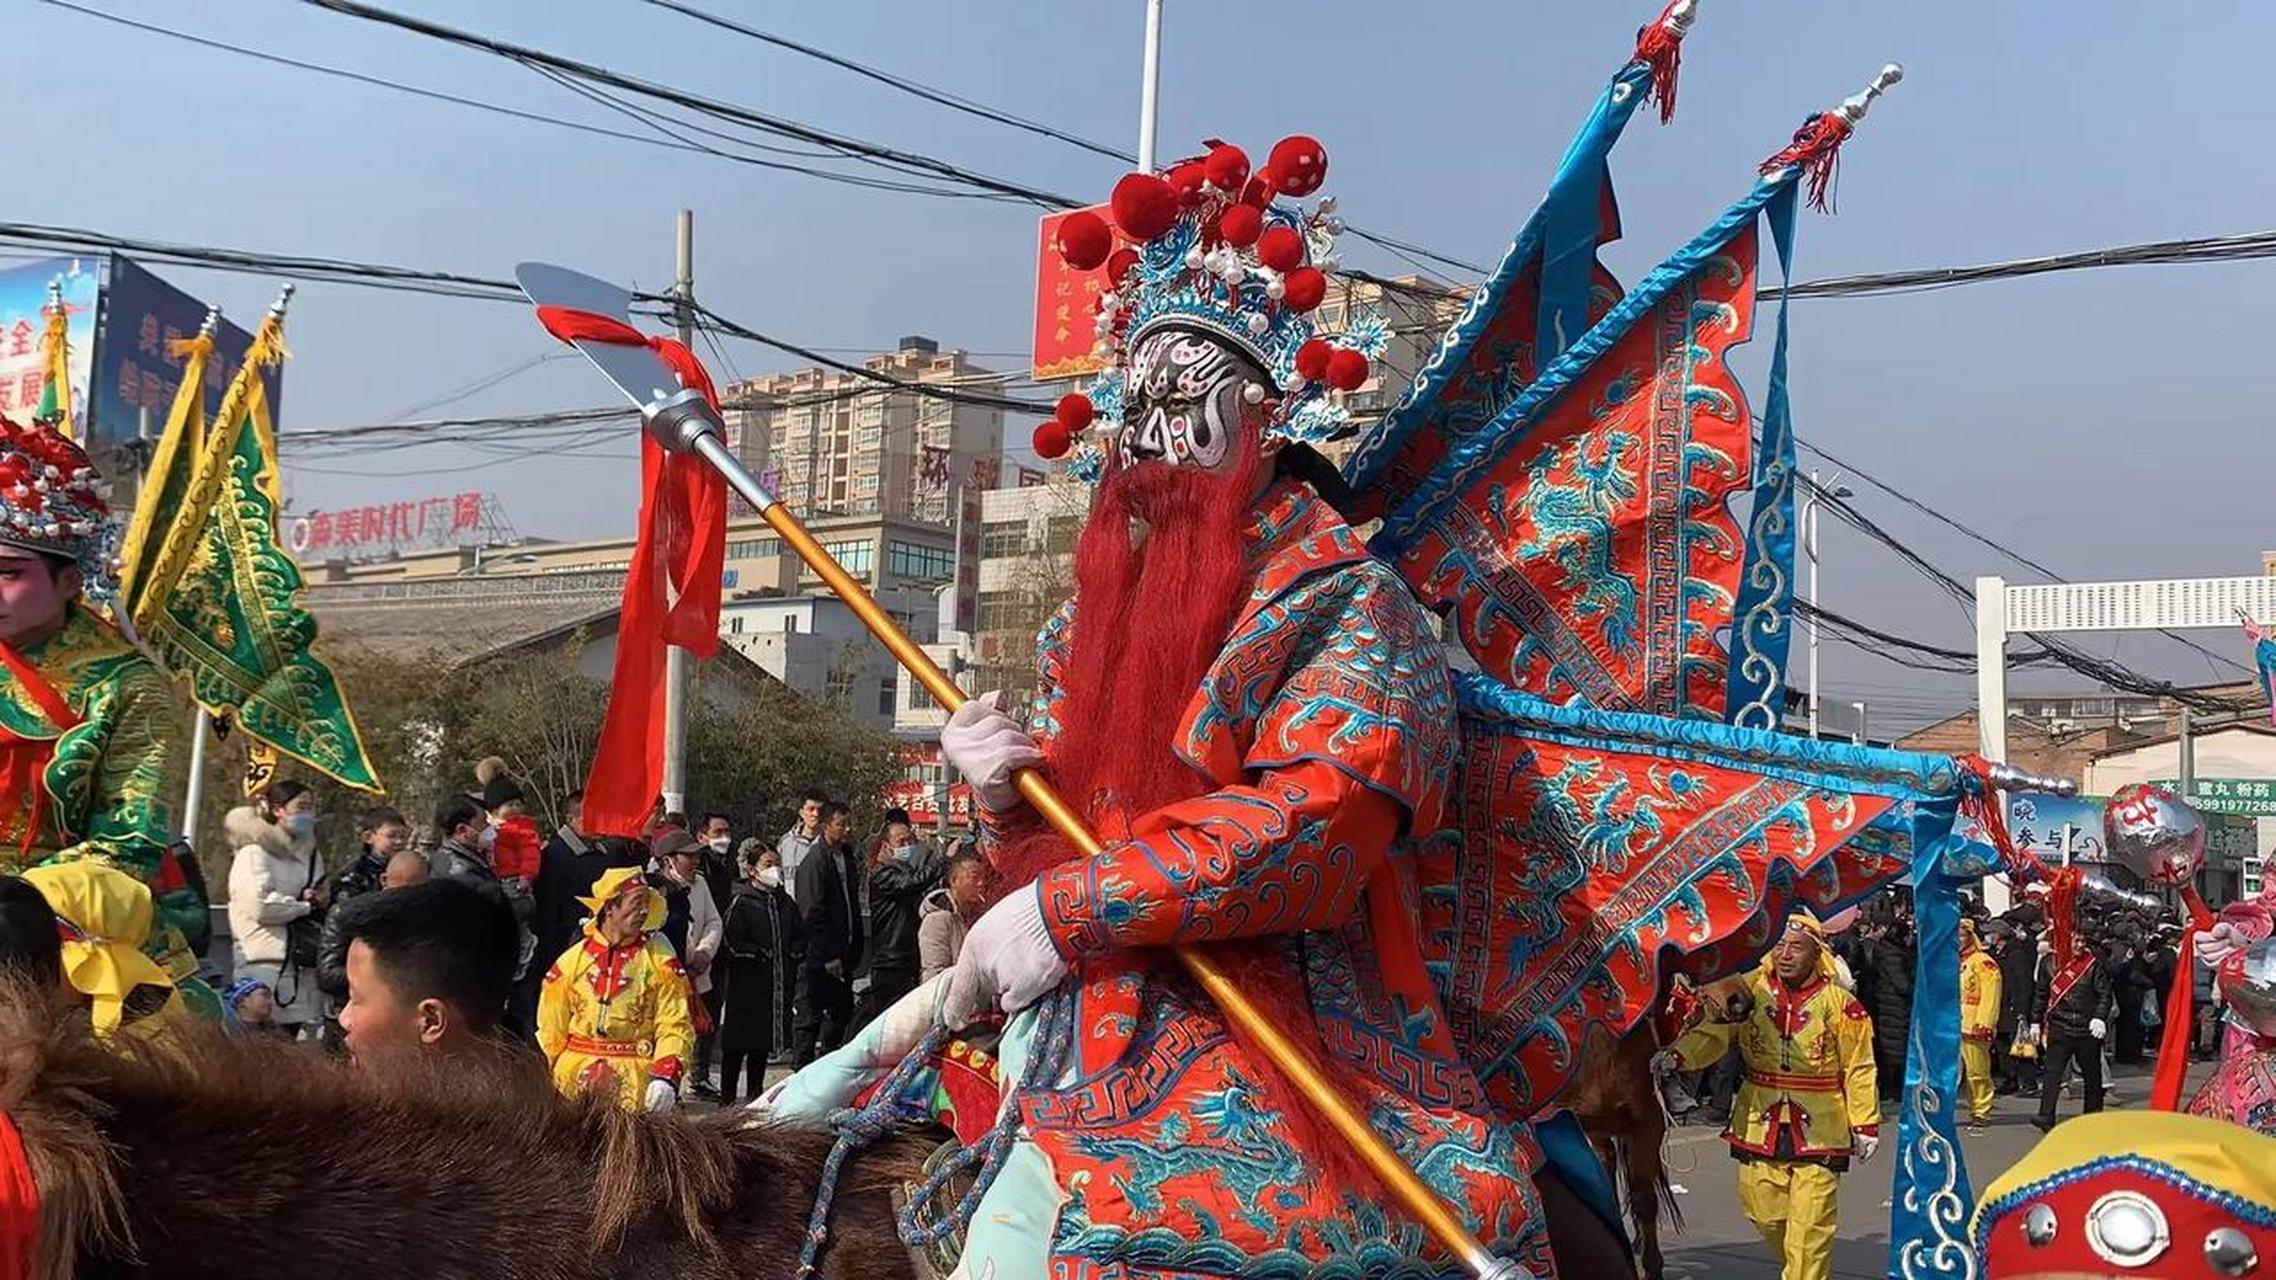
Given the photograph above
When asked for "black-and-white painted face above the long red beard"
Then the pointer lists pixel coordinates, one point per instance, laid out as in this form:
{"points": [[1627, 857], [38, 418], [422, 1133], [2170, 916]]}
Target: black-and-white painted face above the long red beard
{"points": [[1187, 400]]}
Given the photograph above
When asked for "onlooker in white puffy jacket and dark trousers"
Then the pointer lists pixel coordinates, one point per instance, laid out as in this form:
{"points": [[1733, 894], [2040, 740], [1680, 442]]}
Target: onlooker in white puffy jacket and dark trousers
{"points": [[279, 899]]}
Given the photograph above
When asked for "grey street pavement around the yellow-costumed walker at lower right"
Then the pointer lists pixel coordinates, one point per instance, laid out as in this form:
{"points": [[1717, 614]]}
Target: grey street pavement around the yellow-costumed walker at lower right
{"points": [[1720, 1245]]}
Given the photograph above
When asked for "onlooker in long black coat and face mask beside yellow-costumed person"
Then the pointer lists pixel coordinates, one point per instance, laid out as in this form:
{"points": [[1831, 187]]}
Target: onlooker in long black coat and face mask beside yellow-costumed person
{"points": [[764, 944]]}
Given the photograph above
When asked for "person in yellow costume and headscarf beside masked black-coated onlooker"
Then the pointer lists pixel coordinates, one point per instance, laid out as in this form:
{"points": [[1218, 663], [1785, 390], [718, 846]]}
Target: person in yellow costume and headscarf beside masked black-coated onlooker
{"points": [[613, 1012]]}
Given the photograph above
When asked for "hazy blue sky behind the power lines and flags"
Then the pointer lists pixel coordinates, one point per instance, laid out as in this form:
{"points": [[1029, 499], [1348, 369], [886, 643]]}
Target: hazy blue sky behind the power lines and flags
{"points": [[2111, 425]]}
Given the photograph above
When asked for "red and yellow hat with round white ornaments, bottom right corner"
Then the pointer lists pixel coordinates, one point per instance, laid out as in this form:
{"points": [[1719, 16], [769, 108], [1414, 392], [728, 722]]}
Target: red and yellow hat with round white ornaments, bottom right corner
{"points": [[2141, 1195]]}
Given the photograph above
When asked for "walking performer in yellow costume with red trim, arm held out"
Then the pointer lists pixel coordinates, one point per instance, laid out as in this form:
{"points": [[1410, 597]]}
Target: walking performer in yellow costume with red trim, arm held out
{"points": [[1808, 1101]]}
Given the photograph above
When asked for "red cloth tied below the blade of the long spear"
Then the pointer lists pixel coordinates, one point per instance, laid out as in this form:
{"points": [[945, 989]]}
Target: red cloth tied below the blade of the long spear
{"points": [[670, 591]]}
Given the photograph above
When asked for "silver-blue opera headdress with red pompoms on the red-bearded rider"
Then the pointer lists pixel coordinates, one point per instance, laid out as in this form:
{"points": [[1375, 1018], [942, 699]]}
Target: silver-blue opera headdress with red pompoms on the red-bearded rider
{"points": [[1205, 249]]}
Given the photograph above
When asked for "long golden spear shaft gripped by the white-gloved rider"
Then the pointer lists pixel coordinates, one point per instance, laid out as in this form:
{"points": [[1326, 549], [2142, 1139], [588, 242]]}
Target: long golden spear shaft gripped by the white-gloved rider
{"points": [[684, 422]]}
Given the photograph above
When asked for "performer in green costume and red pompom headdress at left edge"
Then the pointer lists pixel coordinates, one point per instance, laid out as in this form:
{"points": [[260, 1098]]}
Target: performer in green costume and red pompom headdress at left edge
{"points": [[85, 719]]}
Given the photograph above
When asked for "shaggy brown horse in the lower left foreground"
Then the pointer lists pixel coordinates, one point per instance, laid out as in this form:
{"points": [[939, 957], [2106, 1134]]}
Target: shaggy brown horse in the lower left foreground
{"points": [[192, 1131]]}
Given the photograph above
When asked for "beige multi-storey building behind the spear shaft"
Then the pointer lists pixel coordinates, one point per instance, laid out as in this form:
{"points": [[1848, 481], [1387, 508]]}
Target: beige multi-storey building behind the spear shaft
{"points": [[832, 441]]}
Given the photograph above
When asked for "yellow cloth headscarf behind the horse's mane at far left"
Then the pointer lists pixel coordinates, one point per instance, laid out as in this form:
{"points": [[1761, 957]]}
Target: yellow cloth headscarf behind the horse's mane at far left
{"points": [[104, 917]]}
